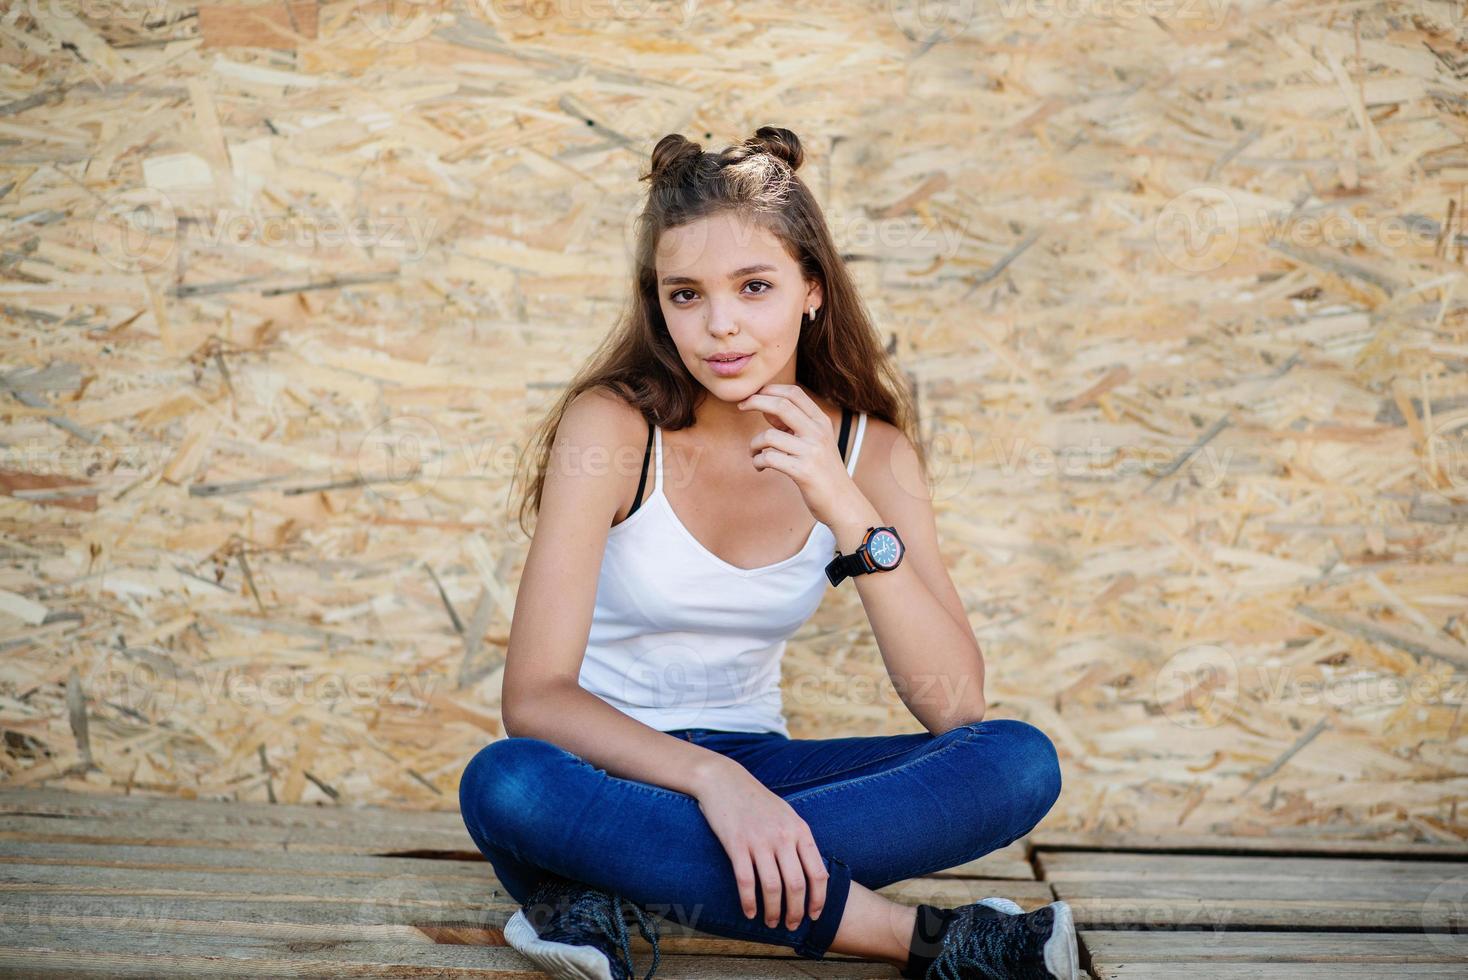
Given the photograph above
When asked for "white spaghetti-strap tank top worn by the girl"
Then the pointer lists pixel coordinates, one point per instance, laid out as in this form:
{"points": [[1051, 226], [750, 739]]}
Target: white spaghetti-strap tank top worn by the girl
{"points": [[682, 639]]}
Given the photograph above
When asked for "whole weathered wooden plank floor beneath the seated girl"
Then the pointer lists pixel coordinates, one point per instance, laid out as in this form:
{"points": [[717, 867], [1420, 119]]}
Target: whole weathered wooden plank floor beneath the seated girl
{"points": [[152, 887]]}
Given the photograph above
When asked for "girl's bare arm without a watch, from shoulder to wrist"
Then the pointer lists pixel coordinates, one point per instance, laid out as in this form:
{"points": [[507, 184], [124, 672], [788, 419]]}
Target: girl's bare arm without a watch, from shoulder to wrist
{"points": [[553, 620]]}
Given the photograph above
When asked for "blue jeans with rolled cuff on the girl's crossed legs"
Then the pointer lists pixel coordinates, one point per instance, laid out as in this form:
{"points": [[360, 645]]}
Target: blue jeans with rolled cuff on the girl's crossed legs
{"points": [[882, 809]]}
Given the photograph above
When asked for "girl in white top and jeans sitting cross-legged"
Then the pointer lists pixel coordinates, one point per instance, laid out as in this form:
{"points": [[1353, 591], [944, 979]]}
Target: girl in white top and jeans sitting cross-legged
{"points": [[647, 756]]}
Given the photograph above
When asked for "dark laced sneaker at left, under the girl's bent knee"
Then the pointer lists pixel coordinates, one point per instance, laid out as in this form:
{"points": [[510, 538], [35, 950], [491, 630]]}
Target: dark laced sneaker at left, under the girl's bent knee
{"points": [[578, 932]]}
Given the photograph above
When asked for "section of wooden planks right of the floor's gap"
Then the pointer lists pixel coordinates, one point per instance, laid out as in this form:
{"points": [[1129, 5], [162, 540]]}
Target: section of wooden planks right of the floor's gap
{"points": [[1263, 909]]}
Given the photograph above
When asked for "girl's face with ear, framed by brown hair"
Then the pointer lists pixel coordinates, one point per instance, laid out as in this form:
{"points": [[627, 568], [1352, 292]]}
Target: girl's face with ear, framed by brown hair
{"points": [[729, 287]]}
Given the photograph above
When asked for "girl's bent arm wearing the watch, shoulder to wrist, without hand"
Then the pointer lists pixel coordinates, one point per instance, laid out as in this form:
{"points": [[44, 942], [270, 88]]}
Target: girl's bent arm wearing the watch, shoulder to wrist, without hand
{"points": [[917, 614]]}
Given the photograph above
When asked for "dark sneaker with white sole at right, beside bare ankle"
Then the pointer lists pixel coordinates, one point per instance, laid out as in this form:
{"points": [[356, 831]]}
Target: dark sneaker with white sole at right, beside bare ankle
{"points": [[1039, 946]]}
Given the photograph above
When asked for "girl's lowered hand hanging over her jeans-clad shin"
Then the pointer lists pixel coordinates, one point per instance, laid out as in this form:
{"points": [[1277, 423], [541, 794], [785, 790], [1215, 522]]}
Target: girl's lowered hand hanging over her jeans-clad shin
{"points": [[767, 841]]}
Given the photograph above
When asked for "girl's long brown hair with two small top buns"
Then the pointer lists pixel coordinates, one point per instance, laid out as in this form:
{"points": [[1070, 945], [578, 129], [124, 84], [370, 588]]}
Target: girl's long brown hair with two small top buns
{"points": [[839, 356]]}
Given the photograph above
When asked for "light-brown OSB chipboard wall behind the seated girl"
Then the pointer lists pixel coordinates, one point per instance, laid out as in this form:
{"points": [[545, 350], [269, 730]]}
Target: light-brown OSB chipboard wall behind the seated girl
{"points": [[1181, 290]]}
